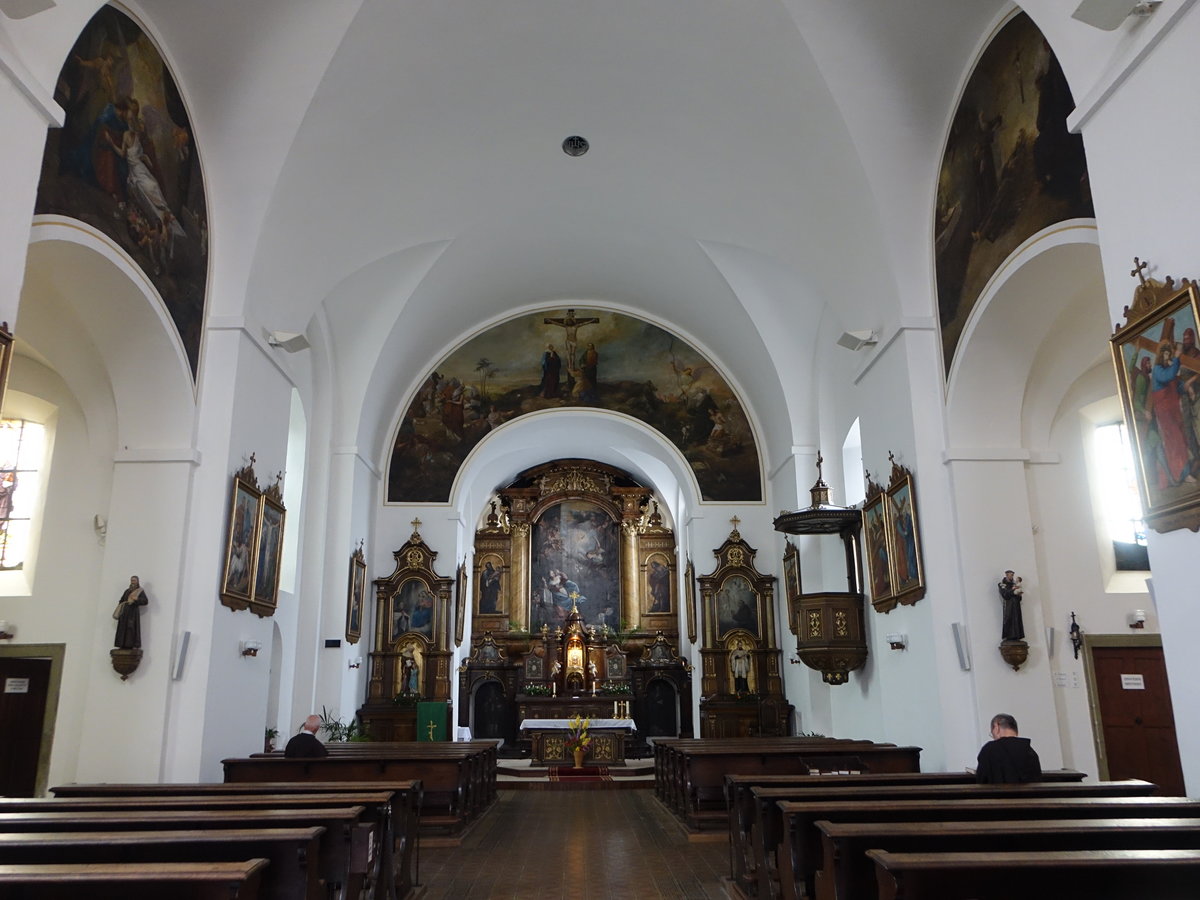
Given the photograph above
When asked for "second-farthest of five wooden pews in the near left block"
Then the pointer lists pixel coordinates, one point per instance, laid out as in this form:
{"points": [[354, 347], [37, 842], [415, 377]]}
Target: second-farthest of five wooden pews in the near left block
{"points": [[377, 811]]}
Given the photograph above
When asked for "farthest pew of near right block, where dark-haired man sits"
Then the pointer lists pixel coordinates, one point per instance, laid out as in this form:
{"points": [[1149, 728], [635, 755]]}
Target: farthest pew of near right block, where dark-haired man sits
{"points": [[742, 809]]}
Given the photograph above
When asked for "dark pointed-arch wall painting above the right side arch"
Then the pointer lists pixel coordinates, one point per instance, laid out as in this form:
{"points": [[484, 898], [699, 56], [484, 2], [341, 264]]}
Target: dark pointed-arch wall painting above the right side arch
{"points": [[1011, 170]]}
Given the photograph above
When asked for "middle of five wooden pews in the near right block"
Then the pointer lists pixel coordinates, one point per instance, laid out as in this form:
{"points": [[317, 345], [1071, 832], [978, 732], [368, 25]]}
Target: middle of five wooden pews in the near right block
{"points": [[800, 851]]}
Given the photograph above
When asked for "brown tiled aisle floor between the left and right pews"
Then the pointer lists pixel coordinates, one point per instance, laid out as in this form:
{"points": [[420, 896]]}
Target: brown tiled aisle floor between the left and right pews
{"points": [[585, 845]]}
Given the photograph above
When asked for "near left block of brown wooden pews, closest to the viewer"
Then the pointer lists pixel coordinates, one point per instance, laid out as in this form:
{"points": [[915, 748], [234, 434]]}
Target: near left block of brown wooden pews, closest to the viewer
{"points": [[206, 841]]}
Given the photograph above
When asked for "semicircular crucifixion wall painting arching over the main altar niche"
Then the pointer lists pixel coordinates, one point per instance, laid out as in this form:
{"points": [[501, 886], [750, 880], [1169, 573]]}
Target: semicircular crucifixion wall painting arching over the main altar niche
{"points": [[562, 359]]}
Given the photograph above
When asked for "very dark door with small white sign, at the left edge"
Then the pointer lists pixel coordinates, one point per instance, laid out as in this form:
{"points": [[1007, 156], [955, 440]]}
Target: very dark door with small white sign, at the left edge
{"points": [[25, 687]]}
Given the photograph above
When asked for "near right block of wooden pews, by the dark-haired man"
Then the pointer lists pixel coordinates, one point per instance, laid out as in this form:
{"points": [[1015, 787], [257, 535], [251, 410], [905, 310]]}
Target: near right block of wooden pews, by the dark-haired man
{"points": [[938, 836]]}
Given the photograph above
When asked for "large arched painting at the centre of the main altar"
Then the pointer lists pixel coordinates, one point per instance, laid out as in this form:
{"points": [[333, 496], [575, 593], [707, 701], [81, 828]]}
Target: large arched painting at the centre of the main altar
{"points": [[574, 563]]}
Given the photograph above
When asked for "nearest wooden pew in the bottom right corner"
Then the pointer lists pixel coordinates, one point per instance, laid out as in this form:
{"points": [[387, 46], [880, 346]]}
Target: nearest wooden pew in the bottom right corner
{"points": [[1095, 874]]}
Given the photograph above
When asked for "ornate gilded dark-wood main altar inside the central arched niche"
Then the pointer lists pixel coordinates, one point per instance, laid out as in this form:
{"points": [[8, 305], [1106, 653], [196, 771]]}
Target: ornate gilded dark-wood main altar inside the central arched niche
{"points": [[577, 610]]}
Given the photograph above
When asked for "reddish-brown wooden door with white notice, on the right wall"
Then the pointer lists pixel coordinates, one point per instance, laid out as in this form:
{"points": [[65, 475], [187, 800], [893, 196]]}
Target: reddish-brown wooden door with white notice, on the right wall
{"points": [[1137, 723]]}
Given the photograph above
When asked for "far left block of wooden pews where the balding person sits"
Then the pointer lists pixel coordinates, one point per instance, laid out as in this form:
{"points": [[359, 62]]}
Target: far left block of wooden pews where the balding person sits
{"points": [[459, 779]]}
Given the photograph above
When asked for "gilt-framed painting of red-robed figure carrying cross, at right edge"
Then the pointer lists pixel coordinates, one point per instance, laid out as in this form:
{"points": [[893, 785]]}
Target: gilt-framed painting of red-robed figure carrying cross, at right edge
{"points": [[1157, 365]]}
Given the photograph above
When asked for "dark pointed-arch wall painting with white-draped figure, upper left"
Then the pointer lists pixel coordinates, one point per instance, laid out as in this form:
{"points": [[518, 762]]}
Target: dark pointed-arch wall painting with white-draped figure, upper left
{"points": [[125, 163]]}
